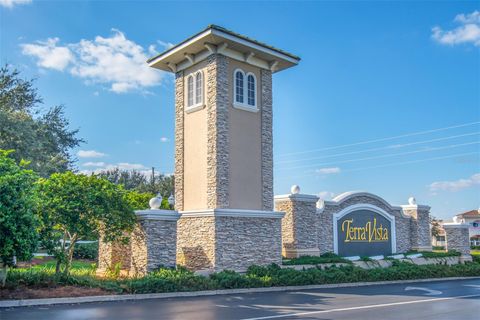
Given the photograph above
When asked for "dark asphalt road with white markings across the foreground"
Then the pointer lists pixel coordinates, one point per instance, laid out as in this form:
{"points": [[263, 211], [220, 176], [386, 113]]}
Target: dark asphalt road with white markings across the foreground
{"points": [[424, 300]]}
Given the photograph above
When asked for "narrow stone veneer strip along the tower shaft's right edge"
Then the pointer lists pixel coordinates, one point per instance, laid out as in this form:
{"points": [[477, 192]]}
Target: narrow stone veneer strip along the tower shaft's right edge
{"points": [[267, 140]]}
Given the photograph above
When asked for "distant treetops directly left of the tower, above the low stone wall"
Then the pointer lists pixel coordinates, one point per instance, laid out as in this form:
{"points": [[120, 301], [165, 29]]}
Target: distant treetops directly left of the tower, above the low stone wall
{"points": [[134, 180]]}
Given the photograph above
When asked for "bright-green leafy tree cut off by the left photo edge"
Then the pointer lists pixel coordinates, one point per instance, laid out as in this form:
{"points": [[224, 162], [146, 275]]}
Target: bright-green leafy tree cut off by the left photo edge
{"points": [[18, 236]]}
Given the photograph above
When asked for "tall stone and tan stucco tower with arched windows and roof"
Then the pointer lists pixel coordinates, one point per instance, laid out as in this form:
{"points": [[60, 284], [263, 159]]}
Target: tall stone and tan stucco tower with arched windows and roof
{"points": [[223, 149]]}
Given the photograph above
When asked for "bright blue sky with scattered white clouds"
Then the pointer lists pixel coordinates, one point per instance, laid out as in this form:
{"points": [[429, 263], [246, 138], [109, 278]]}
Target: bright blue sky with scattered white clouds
{"points": [[386, 98]]}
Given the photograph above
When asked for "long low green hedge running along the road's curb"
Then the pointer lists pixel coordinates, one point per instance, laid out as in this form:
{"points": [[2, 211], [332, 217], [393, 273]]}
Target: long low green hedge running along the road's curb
{"points": [[168, 280]]}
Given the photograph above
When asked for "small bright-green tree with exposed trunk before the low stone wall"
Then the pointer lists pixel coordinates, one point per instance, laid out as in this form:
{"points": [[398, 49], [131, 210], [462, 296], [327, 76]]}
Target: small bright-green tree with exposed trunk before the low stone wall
{"points": [[75, 206]]}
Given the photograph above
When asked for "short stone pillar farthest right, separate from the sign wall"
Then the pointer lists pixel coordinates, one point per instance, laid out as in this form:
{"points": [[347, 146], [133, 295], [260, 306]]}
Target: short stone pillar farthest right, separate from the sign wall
{"points": [[458, 239]]}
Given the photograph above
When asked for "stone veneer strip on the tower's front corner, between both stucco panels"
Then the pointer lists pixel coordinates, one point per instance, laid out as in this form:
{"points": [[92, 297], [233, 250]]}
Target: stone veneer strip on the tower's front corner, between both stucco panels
{"points": [[217, 122]]}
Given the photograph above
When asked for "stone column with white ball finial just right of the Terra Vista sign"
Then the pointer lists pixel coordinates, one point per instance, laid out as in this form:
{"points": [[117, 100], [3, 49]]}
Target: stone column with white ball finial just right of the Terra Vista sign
{"points": [[420, 233]]}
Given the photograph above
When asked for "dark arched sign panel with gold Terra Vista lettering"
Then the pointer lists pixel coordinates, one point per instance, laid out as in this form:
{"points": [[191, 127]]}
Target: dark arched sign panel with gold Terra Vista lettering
{"points": [[363, 232]]}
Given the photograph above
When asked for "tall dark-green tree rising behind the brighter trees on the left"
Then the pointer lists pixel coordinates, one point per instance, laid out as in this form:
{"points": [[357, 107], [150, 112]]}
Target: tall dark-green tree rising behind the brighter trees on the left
{"points": [[41, 137]]}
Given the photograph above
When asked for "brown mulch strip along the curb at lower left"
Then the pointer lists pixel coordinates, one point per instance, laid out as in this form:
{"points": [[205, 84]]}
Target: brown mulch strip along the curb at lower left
{"points": [[23, 292]]}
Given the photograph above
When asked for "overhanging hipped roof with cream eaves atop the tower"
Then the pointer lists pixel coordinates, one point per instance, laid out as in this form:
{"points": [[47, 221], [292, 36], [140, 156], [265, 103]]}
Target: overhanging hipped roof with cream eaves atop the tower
{"points": [[216, 39]]}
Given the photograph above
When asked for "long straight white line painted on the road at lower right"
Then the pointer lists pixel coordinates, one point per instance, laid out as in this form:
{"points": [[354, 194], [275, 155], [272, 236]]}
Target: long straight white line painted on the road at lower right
{"points": [[361, 307]]}
